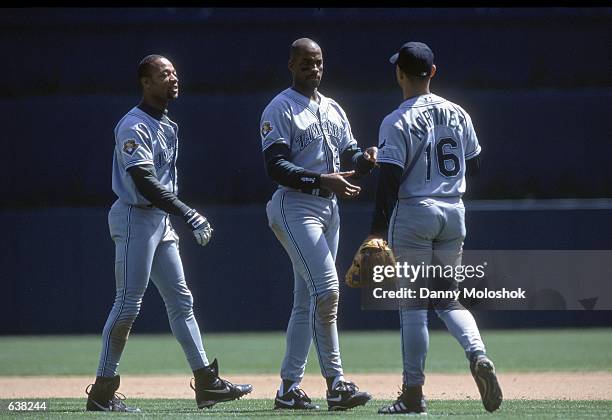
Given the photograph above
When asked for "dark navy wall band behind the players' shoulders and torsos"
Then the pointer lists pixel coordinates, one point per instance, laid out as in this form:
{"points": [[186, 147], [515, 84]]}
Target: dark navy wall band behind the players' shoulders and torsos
{"points": [[537, 144]]}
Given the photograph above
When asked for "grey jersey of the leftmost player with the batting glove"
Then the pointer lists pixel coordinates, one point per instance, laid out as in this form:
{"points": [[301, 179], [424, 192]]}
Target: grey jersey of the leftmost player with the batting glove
{"points": [[141, 139]]}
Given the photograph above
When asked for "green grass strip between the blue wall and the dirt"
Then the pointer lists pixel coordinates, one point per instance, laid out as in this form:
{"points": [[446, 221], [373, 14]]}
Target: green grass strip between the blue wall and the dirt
{"points": [[516, 351]]}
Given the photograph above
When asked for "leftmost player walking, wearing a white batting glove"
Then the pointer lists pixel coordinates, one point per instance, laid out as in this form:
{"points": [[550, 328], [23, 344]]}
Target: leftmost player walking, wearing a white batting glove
{"points": [[146, 245]]}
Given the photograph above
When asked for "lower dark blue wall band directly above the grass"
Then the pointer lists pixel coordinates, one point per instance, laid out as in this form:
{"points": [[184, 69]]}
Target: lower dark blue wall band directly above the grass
{"points": [[57, 266]]}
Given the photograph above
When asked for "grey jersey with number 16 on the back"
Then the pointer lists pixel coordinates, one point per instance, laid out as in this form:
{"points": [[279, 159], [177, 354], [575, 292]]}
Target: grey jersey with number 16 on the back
{"points": [[430, 138]]}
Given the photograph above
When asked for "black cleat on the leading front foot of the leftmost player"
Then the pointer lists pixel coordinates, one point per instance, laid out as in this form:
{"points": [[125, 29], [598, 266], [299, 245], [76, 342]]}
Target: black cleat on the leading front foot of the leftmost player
{"points": [[210, 389]]}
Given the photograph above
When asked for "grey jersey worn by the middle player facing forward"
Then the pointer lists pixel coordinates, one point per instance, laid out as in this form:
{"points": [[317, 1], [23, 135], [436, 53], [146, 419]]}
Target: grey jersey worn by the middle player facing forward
{"points": [[316, 133]]}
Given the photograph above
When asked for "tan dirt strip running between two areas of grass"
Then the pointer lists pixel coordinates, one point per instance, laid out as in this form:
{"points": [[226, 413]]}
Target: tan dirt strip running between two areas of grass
{"points": [[532, 386]]}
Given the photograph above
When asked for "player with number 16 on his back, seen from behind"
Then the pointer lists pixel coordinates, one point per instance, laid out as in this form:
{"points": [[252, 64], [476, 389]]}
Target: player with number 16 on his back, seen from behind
{"points": [[425, 148]]}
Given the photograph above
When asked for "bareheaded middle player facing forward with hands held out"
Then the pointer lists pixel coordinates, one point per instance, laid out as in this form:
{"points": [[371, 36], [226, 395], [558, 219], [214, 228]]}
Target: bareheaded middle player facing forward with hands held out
{"points": [[306, 136]]}
